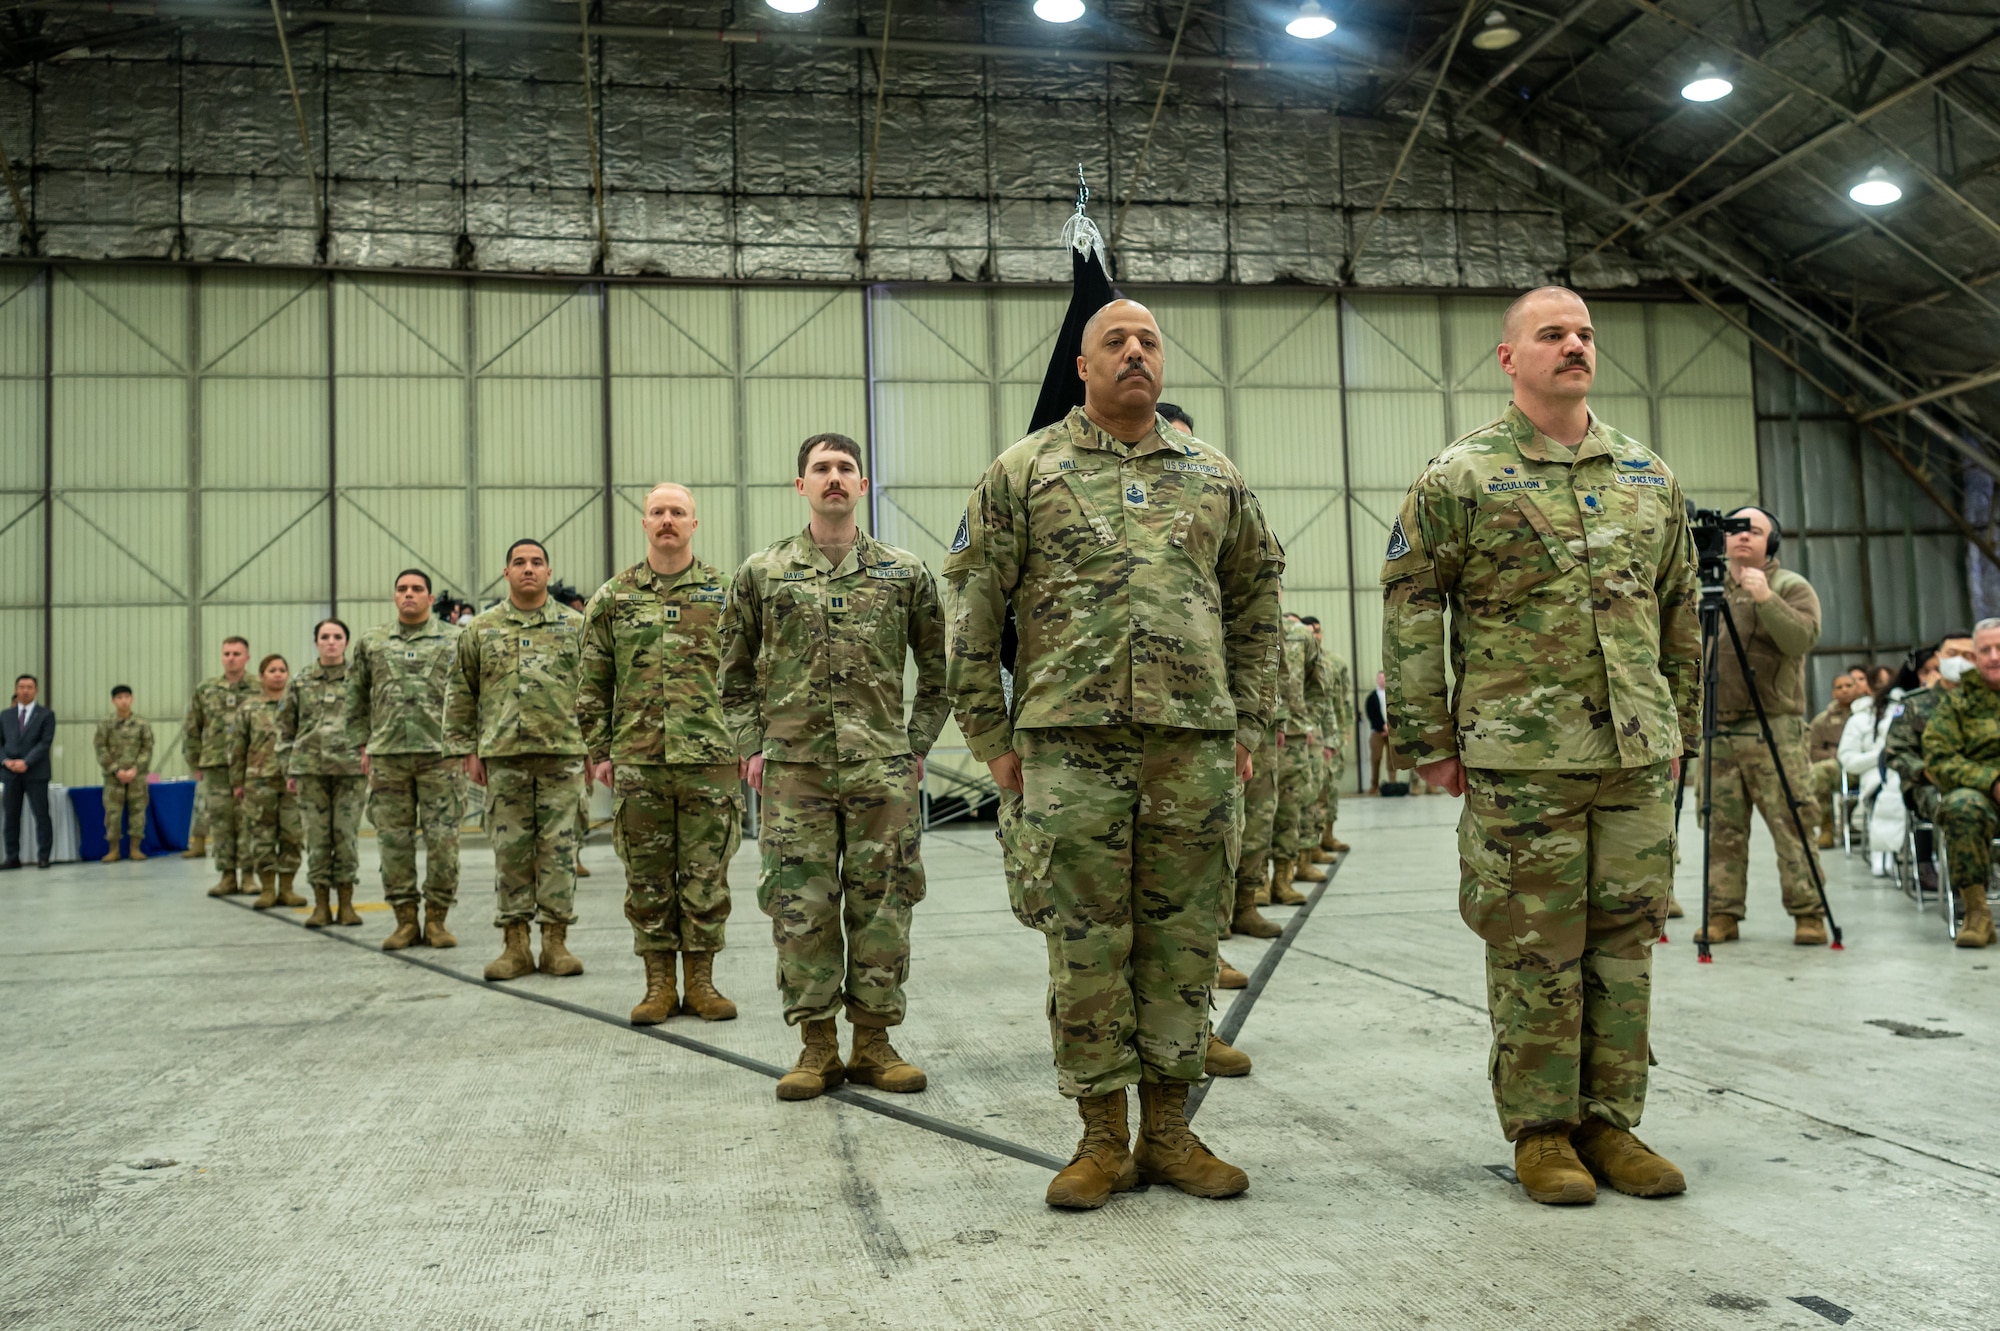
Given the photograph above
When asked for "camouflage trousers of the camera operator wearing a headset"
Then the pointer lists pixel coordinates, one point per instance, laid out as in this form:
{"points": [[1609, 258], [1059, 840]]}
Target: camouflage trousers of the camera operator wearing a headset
{"points": [[1743, 778]]}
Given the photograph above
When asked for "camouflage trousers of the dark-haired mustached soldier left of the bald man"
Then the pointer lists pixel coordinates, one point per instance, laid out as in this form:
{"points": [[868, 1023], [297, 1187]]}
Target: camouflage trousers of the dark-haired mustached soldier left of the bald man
{"points": [[841, 846]]}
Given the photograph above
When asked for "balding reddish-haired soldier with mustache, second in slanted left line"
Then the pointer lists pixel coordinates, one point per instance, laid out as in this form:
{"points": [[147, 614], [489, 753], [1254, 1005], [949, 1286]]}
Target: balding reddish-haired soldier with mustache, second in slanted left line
{"points": [[651, 708]]}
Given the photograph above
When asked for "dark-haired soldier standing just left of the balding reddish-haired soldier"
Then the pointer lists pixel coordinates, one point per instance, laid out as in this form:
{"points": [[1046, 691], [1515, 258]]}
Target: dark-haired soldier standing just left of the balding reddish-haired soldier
{"points": [[511, 708]]}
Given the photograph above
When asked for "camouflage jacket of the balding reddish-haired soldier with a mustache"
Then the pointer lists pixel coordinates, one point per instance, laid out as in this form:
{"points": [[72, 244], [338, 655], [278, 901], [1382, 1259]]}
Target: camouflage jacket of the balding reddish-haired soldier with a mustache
{"points": [[653, 657]]}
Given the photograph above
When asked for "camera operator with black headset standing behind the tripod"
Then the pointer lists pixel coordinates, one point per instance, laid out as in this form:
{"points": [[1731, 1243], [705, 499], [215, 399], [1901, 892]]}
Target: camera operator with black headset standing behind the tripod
{"points": [[1777, 619]]}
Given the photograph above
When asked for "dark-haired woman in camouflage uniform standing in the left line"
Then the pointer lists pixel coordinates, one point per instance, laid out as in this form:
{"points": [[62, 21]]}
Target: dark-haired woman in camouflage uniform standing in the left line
{"points": [[325, 770]]}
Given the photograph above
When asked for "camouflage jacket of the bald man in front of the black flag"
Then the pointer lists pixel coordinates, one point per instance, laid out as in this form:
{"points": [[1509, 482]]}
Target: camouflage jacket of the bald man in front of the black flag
{"points": [[1143, 579]]}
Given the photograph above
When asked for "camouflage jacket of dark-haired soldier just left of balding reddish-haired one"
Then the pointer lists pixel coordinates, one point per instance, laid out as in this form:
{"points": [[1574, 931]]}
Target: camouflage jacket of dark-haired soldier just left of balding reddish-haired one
{"points": [[513, 686]]}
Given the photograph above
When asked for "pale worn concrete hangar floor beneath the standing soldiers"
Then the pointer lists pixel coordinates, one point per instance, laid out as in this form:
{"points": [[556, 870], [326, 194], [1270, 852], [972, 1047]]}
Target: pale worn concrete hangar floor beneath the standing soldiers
{"points": [[221, 1120]]}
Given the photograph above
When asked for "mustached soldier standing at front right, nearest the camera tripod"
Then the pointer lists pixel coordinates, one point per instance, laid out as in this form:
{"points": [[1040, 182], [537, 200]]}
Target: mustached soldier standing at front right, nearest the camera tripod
{"points": [[1549, 561]]}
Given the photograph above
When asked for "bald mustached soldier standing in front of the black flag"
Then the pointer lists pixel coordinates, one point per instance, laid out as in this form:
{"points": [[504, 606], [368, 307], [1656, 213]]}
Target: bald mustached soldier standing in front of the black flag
{"points": [[1145, 585]]}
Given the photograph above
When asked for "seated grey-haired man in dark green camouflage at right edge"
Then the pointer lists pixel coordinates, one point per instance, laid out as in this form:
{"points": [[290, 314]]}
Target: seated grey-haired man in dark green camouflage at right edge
{"points": [[1963, 760]]}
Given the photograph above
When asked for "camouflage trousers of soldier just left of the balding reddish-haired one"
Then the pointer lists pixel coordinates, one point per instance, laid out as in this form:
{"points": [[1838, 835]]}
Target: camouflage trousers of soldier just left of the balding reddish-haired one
{"points": [[531, 816]]}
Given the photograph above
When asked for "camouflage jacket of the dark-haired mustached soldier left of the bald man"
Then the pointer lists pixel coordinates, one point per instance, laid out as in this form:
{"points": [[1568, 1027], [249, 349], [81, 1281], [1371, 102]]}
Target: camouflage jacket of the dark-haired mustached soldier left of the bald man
{"points": [[813, 655]]}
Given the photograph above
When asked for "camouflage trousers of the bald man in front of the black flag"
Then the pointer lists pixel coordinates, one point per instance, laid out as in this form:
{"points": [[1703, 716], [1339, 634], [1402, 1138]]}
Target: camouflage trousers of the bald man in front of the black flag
{"points": [[1121, 856]]}
